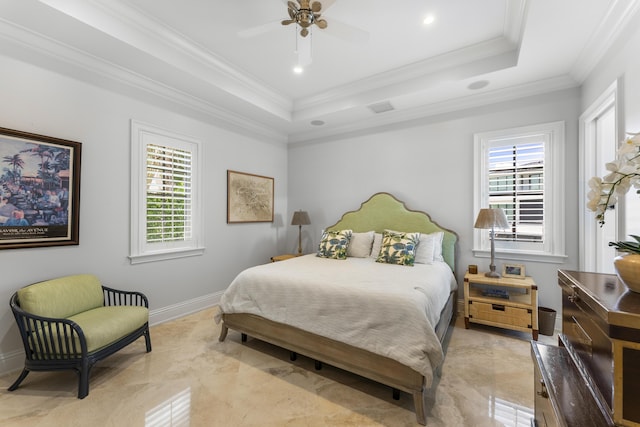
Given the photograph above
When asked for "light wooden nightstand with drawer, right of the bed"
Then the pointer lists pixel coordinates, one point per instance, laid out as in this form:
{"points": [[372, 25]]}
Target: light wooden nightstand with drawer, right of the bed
{"points": [[503, 302]]}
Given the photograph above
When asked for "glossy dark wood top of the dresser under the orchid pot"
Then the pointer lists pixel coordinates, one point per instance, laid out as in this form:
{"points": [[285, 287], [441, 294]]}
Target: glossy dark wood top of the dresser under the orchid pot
{"points": [[607, 296]]}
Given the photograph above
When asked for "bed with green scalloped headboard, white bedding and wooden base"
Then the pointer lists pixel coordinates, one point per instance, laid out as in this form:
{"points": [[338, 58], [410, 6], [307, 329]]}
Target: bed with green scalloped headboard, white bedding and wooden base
{"points": [[309, 304]]}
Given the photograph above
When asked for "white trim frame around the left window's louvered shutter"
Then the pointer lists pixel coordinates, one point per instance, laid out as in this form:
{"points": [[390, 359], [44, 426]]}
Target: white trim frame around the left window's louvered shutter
{"points": [[139, 251]]}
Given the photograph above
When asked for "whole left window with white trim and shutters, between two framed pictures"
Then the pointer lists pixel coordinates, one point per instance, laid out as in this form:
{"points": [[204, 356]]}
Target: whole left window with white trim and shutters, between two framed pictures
{"points": [[165, 202]]}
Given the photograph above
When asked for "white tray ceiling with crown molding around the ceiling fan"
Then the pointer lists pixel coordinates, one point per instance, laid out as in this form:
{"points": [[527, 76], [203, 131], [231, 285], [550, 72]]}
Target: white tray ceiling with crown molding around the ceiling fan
{"points": [[195, 55]]}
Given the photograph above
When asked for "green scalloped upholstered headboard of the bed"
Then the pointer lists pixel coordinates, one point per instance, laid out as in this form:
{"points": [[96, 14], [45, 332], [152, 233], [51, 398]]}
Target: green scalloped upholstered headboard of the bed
{"points": [[383, 211]]}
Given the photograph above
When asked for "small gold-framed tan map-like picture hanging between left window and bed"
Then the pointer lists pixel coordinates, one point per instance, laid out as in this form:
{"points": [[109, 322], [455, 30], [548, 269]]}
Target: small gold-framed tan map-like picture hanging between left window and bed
{"points": [[249, 197]]}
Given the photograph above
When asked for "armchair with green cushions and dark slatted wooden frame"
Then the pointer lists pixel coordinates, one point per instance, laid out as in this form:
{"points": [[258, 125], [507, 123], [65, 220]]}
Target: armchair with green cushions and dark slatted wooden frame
{"points": [[73, 322]]}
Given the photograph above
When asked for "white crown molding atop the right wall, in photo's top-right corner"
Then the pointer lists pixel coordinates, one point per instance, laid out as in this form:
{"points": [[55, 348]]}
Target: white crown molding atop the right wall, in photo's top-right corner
{"points": [[617, 19]]}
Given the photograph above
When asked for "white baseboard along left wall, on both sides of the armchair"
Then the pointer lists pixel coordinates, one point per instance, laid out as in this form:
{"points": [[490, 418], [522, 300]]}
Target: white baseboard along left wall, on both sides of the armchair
{"points": [[14, 360]]}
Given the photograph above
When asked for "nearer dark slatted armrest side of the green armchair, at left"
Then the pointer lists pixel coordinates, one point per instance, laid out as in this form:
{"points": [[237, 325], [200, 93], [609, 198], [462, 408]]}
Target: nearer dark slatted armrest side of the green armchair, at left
{"points": [[47, 338]]}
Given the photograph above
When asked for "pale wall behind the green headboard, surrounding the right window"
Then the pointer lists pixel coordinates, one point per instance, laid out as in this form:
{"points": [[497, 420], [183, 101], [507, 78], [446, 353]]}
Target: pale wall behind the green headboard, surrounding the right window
{"points": [[428, 164]]}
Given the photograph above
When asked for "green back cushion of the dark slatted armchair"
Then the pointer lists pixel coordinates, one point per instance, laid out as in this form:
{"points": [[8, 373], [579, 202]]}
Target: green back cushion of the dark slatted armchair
{"points": [[62, 297]]}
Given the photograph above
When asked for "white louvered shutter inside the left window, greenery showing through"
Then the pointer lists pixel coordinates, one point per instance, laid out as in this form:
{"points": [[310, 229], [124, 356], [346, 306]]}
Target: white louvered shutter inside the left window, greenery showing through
{"points": [[168, 194]]}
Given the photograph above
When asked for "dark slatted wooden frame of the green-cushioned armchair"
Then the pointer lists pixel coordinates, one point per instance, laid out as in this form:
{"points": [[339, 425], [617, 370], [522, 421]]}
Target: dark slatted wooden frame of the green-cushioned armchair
{"points": [[51, 344]]}
